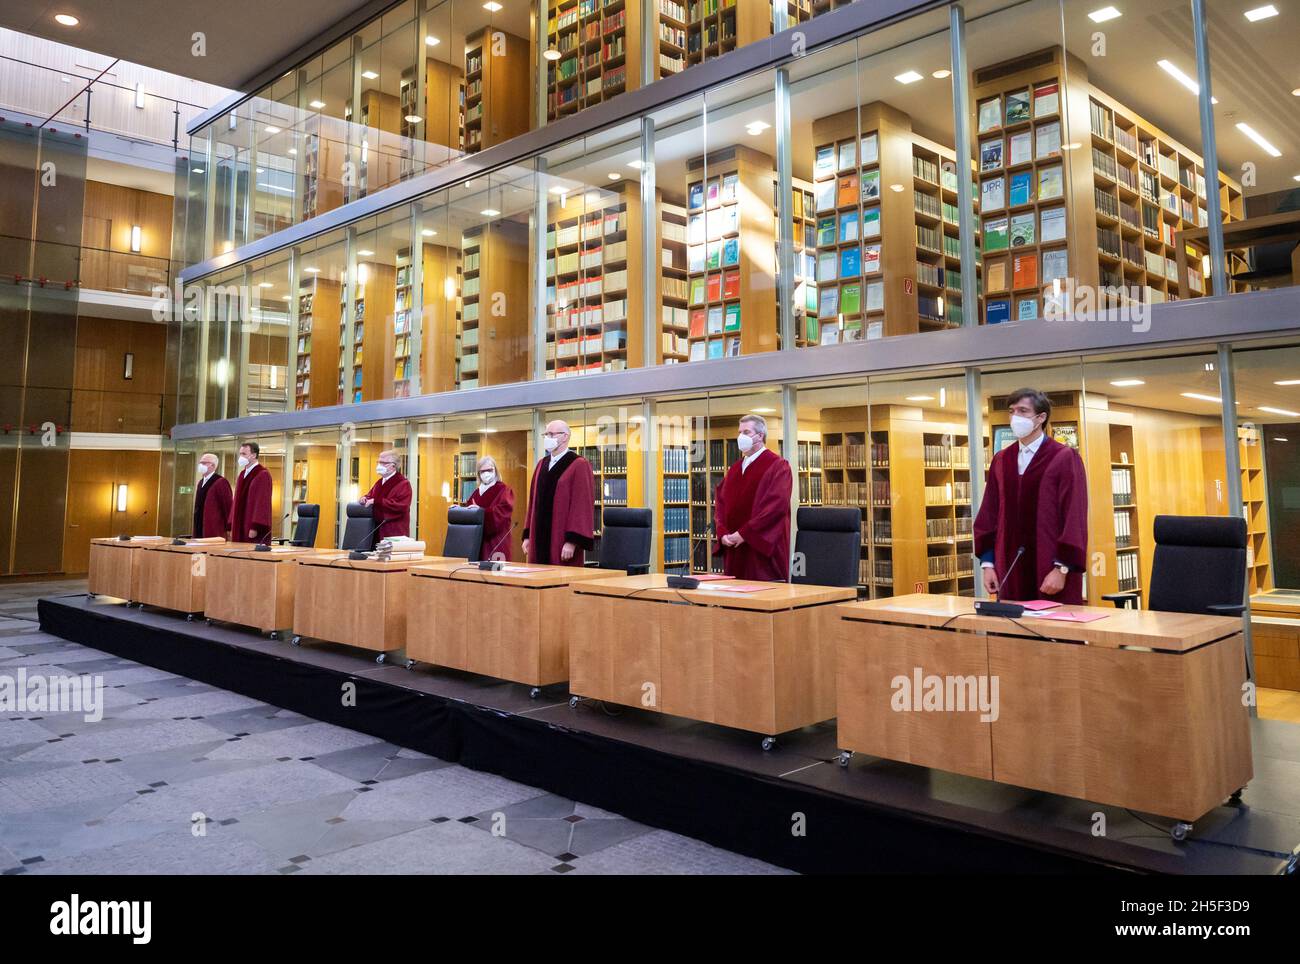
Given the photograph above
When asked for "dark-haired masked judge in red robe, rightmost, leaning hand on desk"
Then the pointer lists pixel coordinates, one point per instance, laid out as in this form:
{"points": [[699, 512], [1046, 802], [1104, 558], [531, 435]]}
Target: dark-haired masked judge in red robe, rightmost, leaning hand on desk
{"points": [[1037, 498]]}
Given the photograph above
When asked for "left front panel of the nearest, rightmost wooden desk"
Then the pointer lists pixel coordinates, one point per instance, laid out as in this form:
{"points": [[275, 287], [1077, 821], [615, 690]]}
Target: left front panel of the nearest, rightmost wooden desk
{"points": [[870, 658]]}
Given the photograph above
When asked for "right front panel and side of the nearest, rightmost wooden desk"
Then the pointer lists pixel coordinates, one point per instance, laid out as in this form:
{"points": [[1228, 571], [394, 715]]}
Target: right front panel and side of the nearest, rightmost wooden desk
{"points": [[1154, 732]]}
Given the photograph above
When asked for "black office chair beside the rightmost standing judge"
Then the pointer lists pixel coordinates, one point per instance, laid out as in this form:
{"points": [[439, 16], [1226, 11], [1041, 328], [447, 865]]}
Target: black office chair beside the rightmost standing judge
{"points": [[1199, 567]]}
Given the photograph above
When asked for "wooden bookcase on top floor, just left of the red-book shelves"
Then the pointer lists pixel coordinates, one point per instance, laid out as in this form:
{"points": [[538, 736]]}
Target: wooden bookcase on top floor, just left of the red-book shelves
{"points": [[497, 75]]}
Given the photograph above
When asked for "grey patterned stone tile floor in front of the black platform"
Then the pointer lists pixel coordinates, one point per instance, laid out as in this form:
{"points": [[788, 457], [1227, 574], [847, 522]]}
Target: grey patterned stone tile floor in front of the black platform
{"points": [[183, 778]]}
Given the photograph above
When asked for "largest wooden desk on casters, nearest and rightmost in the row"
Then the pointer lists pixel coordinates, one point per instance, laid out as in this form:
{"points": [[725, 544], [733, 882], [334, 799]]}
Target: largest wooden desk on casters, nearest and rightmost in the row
{"points": [[1139, 710]]}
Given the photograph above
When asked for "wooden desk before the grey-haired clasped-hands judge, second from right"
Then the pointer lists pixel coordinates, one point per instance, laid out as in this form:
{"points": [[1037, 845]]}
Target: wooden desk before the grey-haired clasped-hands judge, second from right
{"points": [[761, 662]]}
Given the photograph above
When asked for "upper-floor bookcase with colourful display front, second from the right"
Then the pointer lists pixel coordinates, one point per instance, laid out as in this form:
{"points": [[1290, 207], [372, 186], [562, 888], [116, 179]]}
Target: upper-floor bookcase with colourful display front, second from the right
{"points": [[889, 255]]}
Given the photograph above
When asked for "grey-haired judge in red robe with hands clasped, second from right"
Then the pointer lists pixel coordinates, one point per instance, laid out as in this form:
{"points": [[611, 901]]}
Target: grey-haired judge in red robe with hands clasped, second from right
{"points": [[752, 511]]}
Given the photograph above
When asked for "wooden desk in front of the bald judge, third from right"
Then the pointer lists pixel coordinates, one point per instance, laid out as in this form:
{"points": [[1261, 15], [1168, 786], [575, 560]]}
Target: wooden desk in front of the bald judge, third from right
{"points": [[514, 624]]}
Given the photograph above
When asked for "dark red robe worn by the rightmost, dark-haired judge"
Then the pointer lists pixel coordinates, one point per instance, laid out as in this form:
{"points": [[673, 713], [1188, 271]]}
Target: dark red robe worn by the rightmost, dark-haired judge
{"points": [[1046, 511]]}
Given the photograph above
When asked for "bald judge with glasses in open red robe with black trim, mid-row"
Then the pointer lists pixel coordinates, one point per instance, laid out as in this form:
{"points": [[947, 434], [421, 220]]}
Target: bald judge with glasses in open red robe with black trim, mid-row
{"points": [[561, 503]]}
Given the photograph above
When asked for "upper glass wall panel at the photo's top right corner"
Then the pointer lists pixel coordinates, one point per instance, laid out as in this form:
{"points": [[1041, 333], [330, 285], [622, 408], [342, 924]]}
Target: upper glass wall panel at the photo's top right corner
{"points": [[1258, 136]]}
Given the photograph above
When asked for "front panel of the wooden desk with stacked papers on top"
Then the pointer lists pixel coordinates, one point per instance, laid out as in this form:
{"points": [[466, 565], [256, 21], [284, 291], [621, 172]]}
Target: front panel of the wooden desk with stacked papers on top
{"points": [[357, 607]]}
